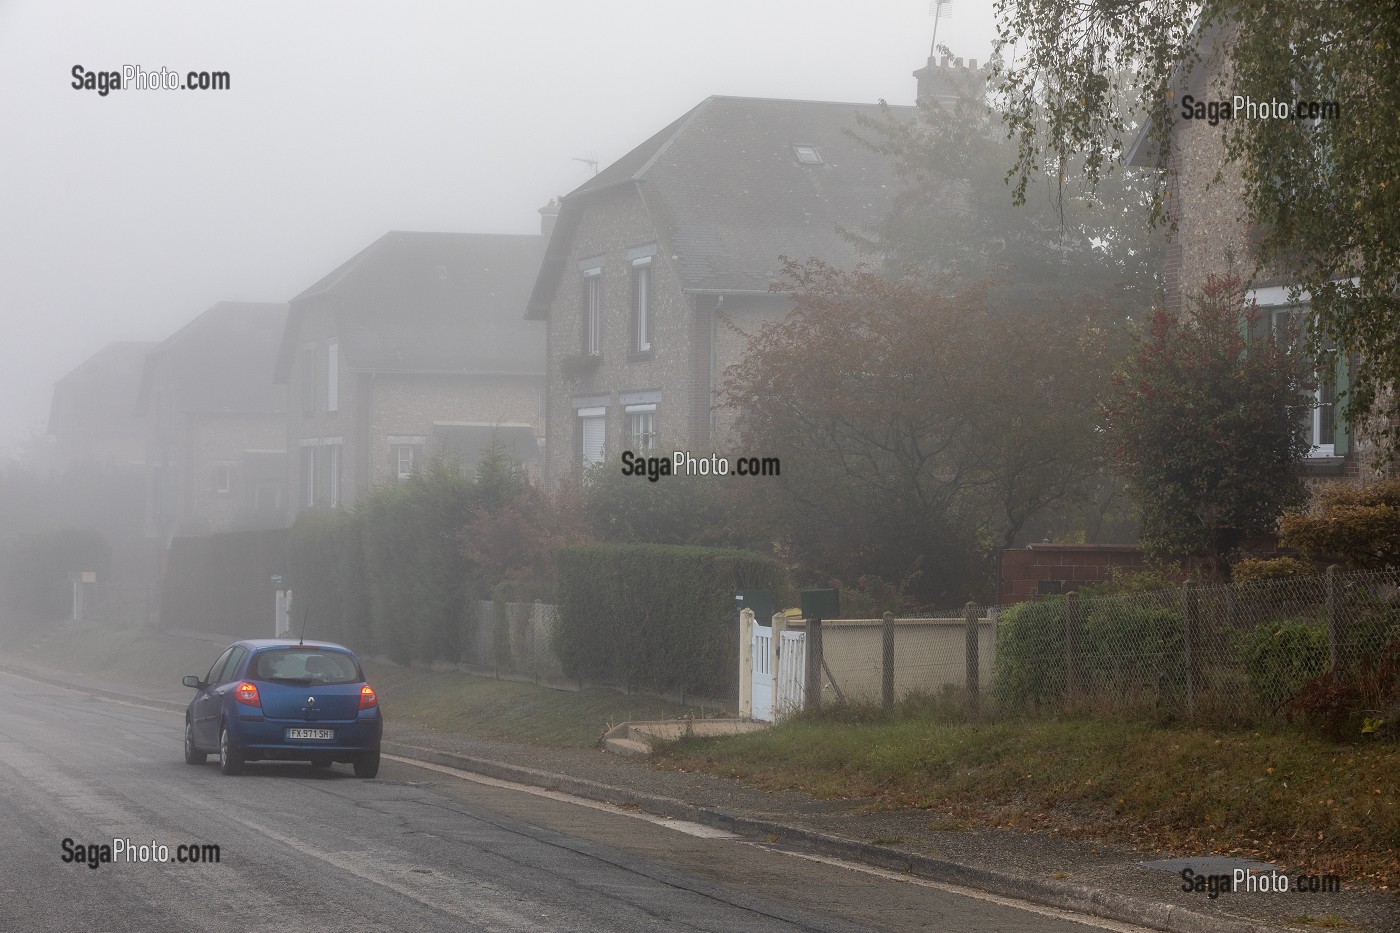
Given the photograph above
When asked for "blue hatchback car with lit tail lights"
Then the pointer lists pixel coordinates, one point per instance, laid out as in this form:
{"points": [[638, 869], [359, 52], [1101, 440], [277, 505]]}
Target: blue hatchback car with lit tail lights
{"points": [[288, 701]]}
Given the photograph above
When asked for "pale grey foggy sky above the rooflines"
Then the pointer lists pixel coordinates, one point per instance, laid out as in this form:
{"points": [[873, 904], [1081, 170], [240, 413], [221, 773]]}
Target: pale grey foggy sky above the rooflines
{"points": [[127, 215]]}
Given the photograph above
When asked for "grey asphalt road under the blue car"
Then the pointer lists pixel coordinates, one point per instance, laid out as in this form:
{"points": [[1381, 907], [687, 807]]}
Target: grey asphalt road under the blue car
{"points": [[415, 850]]}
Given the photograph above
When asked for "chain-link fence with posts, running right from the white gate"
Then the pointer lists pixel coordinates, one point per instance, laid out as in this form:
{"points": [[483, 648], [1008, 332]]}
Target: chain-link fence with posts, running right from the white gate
{"points": [[1228, 654]]}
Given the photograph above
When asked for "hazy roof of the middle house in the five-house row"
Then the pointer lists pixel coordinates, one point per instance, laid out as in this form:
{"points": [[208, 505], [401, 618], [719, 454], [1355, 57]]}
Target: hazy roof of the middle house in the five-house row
{"points": [[432, 303]]}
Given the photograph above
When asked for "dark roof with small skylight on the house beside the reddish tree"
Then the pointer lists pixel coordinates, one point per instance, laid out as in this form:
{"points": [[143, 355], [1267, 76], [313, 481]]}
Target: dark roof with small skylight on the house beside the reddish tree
{"points": [[729, 194]]}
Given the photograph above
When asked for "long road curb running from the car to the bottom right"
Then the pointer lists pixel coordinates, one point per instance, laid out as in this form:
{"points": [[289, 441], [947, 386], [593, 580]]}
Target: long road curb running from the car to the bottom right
{"points": [[1055, 894]]}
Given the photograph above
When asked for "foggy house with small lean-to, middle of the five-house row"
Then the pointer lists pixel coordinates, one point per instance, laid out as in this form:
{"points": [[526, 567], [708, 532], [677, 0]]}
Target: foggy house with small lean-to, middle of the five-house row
{"points": [[412, 351]]}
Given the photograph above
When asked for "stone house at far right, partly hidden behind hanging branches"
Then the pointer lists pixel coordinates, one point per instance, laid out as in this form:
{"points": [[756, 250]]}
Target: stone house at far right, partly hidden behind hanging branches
{"points": [[1213, 237]]}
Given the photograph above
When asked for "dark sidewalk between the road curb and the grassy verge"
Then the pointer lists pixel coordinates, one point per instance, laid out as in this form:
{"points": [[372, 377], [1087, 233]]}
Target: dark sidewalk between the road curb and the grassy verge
{"points": [[1100, 879]]}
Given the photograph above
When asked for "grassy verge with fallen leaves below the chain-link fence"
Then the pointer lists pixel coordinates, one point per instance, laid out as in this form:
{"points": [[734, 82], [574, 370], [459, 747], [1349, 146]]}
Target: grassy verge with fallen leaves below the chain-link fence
{"points": [[1308, 805]]}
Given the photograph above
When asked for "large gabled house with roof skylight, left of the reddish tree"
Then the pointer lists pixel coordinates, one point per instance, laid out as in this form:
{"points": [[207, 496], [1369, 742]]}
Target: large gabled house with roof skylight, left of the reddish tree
{"points": [[663, 264]]}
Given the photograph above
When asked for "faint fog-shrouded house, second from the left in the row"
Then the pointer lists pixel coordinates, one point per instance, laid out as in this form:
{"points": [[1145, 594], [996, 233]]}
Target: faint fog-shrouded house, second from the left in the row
{"points": [[216, 425]]}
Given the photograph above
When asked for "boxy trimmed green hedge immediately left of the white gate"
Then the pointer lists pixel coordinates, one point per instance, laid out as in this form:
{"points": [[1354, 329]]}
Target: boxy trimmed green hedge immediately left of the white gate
{"points": [[657, 617]]}
